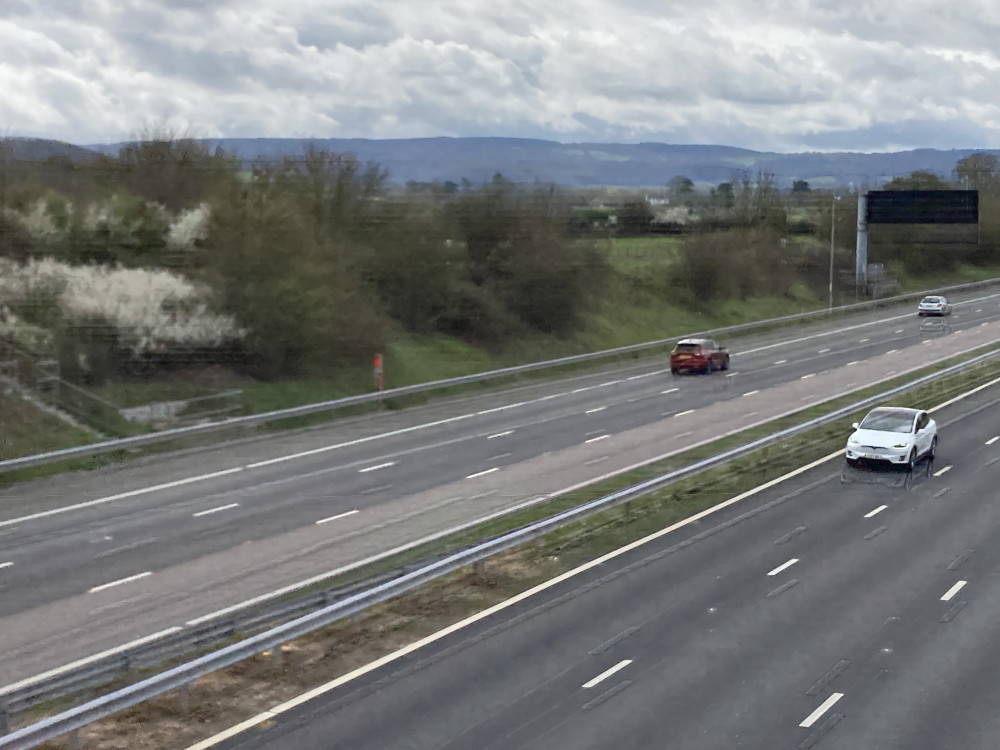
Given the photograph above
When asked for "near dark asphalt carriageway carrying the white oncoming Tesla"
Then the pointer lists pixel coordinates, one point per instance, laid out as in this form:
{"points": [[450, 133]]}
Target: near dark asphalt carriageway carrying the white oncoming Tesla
{"points": [[827, 611]]}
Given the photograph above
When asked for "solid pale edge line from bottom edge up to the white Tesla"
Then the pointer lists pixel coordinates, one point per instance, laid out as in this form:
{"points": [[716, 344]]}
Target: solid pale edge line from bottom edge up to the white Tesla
{"points": [[507, 603]]}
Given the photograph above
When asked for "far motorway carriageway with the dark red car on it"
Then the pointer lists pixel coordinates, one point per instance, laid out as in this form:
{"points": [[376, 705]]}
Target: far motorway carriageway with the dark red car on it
{"points": [[78, 551]]}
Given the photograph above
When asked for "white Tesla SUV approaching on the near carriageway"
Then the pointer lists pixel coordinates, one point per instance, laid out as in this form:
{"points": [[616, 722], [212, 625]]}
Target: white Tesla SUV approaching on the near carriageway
{"points": [[894, 434]]}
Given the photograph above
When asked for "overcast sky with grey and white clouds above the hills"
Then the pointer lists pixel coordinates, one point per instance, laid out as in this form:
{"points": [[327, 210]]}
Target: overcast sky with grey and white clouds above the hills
{"points": [[783, 75]]}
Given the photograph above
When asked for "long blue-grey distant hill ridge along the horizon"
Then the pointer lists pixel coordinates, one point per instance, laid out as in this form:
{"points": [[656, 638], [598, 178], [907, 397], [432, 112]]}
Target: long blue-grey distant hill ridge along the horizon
{"points": [[598, 164]]}
